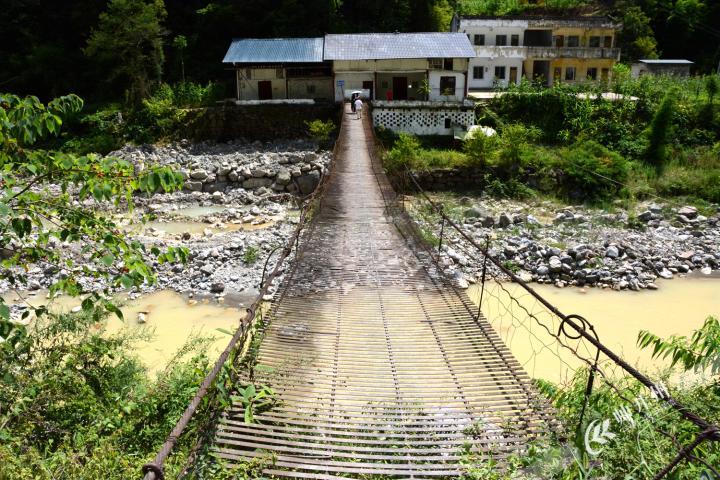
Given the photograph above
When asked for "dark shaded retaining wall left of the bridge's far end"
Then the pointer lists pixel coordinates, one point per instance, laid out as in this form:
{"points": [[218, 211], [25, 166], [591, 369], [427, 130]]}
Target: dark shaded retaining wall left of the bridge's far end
{"points": [[255, 122]]}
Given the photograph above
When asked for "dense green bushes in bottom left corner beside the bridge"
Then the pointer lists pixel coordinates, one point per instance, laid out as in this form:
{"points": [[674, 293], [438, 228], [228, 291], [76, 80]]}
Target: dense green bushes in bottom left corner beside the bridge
{"points": [[81, 405]]}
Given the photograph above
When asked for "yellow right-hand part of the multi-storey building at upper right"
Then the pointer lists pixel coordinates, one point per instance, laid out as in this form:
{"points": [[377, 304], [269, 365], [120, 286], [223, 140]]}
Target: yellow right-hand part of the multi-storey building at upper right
{"points": [[570, 49]]}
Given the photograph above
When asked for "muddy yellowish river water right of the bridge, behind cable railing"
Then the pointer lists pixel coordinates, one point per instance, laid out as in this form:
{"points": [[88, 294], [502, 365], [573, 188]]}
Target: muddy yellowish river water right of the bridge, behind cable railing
{"points": [[678, 307]]}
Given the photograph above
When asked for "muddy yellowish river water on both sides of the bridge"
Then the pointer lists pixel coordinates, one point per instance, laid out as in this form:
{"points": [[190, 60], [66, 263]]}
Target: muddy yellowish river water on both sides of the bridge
{"points": [[679, 307]]}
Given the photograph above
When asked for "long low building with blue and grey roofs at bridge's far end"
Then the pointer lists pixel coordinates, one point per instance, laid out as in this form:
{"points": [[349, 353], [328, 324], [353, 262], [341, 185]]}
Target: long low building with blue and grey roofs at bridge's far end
{"points": [[417, 82]]}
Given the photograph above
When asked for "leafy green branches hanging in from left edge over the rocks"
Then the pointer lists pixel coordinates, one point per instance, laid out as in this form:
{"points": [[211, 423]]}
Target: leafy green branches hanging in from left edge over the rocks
{"points": [[50, 207]]}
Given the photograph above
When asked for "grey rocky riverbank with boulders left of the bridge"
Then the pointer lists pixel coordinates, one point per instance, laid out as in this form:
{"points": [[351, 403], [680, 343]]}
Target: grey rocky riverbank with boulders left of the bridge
{"points": [[239, 203]]}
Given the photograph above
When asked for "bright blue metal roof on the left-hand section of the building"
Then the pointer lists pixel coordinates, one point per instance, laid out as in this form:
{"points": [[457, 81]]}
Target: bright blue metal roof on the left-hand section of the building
{"points": [[275, 50]]}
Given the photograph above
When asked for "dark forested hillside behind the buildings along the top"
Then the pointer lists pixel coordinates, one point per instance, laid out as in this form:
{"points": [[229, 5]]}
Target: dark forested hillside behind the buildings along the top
{"points": [[44, 48]]}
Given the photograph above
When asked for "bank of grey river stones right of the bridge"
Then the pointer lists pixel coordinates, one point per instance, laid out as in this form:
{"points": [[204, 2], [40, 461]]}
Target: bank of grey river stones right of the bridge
{"points": [[564, 246]]}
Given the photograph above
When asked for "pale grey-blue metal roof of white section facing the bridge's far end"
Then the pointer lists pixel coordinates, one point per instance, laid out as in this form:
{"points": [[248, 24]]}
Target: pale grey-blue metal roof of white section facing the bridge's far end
{"points": [[377, 46]]}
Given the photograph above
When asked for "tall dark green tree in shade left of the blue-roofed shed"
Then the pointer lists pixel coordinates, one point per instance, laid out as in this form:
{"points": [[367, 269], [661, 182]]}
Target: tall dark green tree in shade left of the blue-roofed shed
{"points": [[128, 41]]}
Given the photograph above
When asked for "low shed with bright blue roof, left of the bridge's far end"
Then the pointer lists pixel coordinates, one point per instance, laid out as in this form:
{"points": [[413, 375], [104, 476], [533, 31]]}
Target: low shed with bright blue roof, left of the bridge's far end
{"points": [[280, 68]]}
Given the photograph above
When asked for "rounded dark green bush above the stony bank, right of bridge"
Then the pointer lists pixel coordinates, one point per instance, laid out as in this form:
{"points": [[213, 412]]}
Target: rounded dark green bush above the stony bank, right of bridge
{"points": [[591, 172]]}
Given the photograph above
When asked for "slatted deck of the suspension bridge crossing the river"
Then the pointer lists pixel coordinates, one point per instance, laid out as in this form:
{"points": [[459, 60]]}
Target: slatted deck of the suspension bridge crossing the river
{"points": [[382, 369]]}
